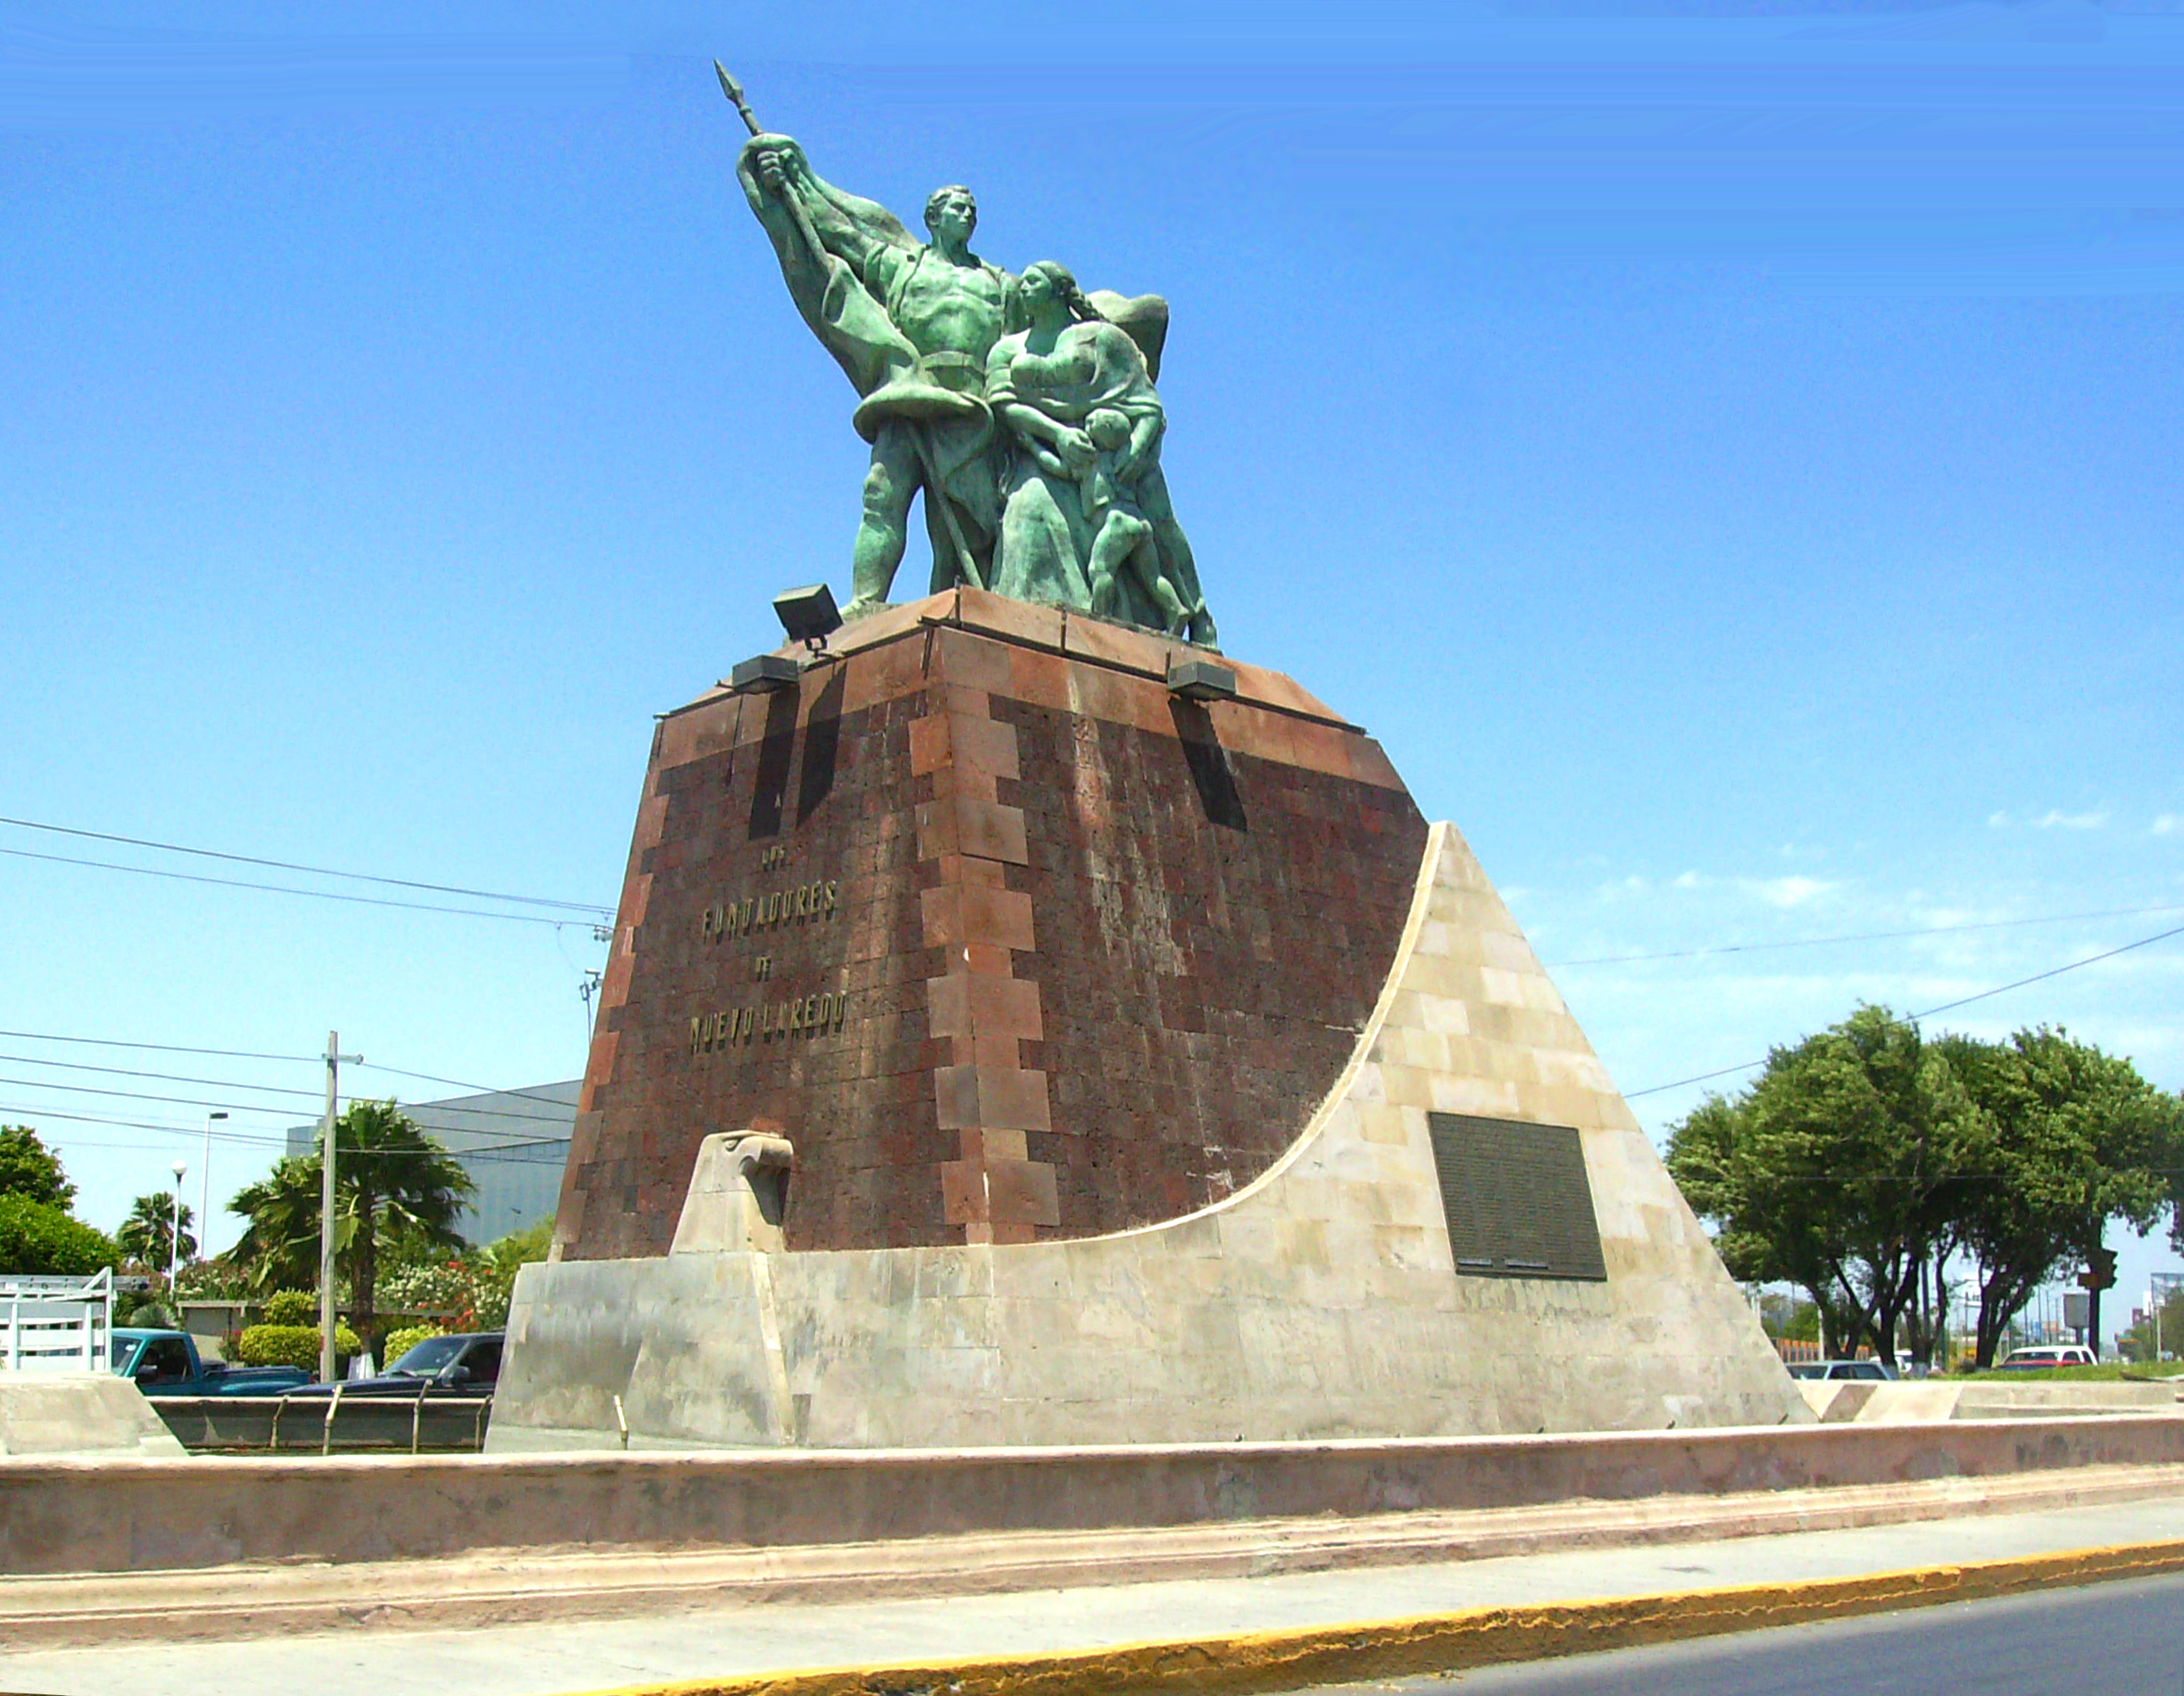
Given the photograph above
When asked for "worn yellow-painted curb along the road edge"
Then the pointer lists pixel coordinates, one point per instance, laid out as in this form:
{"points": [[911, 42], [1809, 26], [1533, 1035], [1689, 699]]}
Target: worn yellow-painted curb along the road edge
{"points": [[1440, 1643]]}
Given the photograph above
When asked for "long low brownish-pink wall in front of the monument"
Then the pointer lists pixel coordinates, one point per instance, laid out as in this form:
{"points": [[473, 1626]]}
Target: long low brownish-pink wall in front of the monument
{"points": [[130, 1516]]}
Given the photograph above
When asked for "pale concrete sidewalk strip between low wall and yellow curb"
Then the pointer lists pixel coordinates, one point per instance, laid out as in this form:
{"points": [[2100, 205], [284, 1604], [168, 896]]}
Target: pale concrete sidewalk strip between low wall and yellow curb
{"points": [[728, 1643]]}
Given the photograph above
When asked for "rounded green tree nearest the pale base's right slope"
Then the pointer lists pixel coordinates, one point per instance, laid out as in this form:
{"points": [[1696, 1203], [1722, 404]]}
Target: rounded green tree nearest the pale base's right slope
{"points": [[1840, 1173]]}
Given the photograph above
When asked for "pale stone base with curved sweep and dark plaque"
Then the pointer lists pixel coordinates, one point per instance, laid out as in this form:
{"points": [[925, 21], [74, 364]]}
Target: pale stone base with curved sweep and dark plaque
{"points": [[1325, 1300]]}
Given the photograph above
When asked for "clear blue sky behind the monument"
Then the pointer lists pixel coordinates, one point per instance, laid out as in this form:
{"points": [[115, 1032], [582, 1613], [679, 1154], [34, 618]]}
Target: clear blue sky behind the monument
{"points": [[1726, 457]]}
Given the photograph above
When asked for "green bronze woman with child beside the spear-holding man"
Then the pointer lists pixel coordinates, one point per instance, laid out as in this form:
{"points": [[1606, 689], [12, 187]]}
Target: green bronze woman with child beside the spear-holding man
{"points": [[1087, 516]]}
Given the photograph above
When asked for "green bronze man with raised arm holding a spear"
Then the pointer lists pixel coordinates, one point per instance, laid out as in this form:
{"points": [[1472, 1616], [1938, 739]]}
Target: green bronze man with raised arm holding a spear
{"points": [[912, 326]]}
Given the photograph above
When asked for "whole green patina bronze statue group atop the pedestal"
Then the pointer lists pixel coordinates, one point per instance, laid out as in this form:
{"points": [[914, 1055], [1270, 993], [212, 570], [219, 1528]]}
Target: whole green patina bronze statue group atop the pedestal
{"points": [[1021, 407]]}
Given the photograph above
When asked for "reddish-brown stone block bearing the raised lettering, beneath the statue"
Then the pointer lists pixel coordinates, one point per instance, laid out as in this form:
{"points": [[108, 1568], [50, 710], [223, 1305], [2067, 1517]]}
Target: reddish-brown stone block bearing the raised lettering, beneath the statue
{"points": [[1004, 937]]}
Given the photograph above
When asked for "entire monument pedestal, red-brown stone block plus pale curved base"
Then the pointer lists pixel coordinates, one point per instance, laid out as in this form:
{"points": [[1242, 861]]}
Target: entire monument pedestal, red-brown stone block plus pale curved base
{"points": [[1148, 1071]]}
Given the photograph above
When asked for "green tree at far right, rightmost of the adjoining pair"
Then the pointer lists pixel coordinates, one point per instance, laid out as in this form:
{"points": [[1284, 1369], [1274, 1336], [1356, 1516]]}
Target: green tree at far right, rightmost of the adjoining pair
{"points": [[2067, 1140]]}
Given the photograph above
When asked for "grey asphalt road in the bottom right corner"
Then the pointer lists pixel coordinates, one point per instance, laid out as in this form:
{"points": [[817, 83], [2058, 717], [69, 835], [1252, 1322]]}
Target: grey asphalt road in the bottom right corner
{"points": [[2072, 1643]]}
